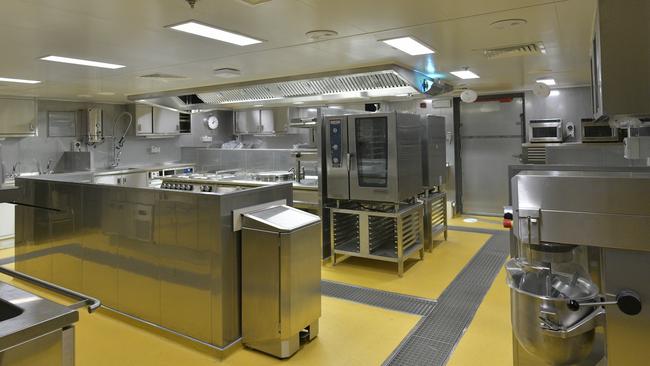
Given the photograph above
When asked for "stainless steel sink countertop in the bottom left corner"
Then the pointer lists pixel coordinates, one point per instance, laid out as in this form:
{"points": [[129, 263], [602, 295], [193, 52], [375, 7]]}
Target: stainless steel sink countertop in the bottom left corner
{"points": [[40, 316]]}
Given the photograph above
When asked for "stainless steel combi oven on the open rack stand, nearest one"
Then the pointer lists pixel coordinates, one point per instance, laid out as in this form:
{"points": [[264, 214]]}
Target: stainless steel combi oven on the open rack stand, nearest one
{"points": [[373, 157]]}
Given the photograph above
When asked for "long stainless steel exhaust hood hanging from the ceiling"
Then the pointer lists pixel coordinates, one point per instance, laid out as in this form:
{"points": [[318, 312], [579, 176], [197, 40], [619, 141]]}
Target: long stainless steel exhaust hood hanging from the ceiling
{"points": [[366, 82]]}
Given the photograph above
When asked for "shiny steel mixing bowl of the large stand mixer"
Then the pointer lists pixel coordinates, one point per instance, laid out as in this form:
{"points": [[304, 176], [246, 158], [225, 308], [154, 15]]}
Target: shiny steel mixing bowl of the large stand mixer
{"points": [[541, 320]]}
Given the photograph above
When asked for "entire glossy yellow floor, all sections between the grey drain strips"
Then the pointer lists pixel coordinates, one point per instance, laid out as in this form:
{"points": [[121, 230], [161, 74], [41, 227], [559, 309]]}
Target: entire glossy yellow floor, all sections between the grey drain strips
{"points": [[350, 333]]}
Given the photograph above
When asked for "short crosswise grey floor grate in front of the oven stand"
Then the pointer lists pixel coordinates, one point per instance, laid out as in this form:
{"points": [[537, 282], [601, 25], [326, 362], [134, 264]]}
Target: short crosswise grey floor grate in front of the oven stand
{"points": [[382, 299]]}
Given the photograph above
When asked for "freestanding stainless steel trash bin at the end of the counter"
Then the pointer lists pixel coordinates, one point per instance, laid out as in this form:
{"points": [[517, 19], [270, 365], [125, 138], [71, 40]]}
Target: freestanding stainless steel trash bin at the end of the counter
{"points": [[281, 251]]}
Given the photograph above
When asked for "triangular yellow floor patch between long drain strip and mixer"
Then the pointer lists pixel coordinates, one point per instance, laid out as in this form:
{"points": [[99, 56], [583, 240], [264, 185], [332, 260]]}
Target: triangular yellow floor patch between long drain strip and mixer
{"points": [[488, 340]]}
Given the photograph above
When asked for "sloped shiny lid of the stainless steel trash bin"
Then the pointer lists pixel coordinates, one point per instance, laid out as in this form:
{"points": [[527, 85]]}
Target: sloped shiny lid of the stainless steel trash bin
{"points": [[279, 218]]}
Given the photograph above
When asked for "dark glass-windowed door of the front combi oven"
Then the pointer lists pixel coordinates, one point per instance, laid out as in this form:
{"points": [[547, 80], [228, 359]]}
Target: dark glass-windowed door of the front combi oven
{"points": [[373, 147]]}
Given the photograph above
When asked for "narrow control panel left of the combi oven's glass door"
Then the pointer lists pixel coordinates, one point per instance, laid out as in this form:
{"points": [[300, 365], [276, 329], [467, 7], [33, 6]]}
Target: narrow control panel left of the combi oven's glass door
{"points": [[337, 157]]}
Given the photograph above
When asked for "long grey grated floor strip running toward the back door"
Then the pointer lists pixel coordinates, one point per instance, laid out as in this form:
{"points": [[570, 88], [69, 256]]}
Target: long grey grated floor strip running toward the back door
{"points": [[435, 336]]}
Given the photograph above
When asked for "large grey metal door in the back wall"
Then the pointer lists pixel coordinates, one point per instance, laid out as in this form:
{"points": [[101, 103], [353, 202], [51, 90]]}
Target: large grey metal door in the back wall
{"points": [[491, 137]]}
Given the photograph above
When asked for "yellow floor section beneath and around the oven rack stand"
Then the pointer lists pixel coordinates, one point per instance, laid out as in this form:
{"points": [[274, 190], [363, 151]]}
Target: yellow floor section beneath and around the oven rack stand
{"points": [[426, 278]]}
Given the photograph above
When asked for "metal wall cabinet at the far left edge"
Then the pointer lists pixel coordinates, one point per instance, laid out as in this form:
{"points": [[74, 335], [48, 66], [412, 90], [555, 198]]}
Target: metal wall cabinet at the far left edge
{"points": [[18, 117]]}
